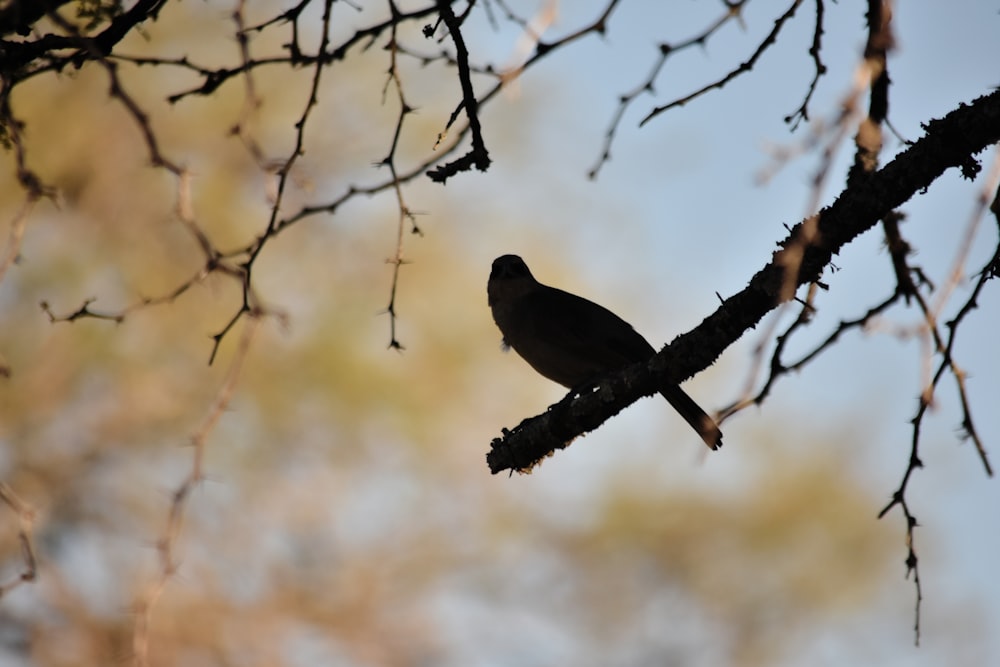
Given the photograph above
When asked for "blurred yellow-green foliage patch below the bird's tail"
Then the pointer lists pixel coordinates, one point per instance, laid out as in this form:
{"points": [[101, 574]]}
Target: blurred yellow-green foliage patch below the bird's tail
{"points": [[795, 542]]}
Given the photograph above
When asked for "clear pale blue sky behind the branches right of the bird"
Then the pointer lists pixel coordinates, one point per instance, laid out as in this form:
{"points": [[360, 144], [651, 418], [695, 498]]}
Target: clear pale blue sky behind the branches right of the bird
{"points": [[679, 214]]}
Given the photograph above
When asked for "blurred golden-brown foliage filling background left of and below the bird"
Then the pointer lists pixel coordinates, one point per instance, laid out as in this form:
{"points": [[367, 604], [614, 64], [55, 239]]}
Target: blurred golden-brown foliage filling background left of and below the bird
{"points": [[347, 518]]}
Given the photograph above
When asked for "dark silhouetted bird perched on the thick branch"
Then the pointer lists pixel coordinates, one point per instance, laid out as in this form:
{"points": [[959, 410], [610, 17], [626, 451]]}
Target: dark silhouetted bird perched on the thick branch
{"points": [[573, 341]]}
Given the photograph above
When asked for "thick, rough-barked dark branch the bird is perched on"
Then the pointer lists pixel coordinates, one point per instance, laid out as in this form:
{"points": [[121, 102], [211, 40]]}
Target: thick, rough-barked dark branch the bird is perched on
{"points": [[948, 142]]}
